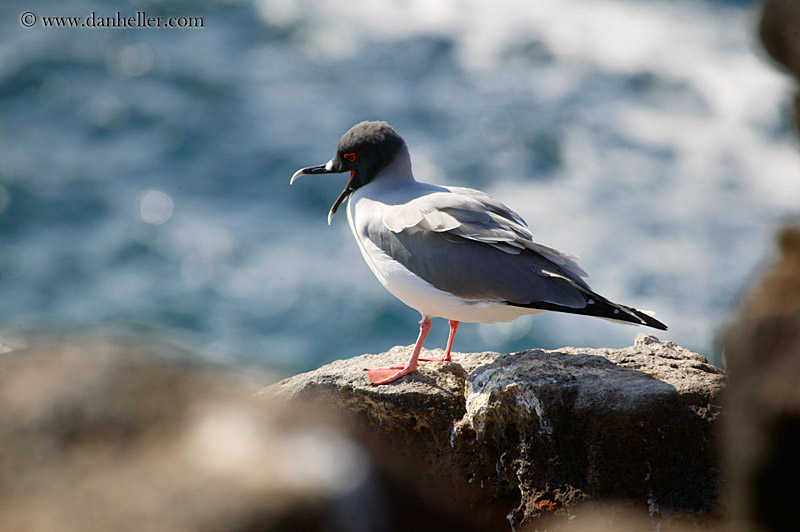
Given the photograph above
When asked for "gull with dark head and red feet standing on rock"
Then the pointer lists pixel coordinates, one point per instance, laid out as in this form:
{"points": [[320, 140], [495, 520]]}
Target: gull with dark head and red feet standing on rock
{"points": [[450, 252]]}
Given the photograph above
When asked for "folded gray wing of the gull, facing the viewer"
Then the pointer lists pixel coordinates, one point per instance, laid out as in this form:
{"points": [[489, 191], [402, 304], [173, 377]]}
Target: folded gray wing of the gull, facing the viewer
{"points": [[466, 243]]}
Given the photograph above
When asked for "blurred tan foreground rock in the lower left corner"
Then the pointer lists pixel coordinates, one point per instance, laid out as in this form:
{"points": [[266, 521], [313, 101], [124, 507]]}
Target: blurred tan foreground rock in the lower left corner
{"points": [[107, 436]]}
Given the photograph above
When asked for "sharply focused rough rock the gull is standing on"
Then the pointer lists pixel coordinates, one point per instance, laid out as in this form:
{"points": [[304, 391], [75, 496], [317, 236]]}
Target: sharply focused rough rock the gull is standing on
{"points": [[506, 439]]}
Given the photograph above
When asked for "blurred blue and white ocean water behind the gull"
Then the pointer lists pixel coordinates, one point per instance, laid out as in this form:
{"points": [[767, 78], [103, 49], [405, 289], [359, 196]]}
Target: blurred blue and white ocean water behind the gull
{"points": [[144, 172]]}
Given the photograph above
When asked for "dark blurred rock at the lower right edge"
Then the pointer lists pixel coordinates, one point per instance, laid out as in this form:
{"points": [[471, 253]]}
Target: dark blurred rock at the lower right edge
{"points": [[762, 429]]}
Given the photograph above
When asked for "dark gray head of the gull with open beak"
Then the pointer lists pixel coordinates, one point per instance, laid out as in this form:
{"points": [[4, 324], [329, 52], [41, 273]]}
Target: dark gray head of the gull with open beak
{"points": [[364, 150]]}
